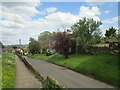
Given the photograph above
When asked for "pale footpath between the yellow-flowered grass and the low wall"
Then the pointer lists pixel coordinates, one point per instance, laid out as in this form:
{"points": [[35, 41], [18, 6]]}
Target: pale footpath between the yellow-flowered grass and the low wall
{"points": [[24, 77]]}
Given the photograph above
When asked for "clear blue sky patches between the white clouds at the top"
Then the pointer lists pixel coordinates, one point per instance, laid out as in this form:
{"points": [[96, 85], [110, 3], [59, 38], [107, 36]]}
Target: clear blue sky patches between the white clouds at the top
{"points": [[73, 7]]}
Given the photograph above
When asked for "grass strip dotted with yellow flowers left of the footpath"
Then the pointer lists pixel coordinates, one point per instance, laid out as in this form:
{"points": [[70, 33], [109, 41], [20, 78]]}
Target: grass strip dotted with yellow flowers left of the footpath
{"points": [[8, 70]]}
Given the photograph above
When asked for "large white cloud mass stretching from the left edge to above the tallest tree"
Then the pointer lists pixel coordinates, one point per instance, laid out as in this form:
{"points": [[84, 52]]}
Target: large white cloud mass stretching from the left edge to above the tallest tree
{"points": [[18, 23]]}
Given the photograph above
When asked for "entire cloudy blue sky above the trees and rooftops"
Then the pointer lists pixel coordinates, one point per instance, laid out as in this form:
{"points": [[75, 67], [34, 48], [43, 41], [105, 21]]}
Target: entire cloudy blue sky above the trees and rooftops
{"points": [[23, 19]]}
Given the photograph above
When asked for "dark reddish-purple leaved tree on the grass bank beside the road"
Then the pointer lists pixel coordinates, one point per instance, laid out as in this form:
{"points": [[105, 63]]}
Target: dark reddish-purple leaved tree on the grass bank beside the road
{"points": [[62, 43]]}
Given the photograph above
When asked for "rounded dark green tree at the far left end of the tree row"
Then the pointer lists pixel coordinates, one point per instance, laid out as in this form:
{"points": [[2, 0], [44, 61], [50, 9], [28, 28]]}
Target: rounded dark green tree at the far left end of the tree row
{"points": [[33, 46]]}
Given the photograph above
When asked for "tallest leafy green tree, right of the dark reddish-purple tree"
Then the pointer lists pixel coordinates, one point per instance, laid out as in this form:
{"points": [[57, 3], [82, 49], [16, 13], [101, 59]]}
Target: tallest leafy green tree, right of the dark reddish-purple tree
{"points": [[84, 31]]}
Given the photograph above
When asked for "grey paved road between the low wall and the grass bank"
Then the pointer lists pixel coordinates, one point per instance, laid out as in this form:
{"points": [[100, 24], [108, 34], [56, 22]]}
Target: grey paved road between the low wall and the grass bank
{"points": [[66, 77]]}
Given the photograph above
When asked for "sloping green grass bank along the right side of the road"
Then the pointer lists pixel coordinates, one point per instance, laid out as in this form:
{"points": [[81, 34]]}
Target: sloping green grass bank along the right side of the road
{"points": [[101, 67]]}
